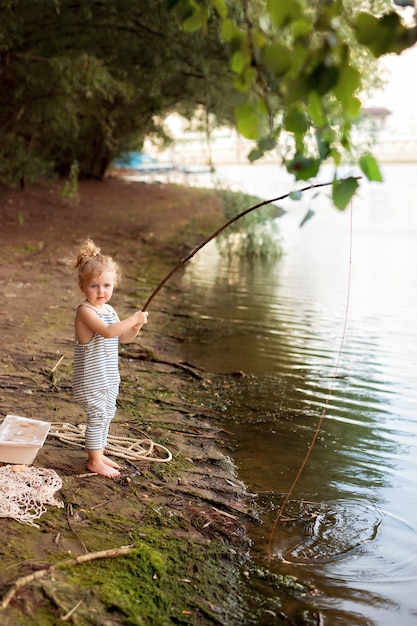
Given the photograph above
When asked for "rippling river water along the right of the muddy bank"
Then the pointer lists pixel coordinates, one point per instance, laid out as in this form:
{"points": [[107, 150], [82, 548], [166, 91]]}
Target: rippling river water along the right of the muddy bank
{"points": [[327, 332]]}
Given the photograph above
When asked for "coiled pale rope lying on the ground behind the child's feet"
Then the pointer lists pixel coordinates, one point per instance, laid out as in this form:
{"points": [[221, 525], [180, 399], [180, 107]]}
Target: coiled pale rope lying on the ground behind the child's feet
{"points": [[123, 447]]}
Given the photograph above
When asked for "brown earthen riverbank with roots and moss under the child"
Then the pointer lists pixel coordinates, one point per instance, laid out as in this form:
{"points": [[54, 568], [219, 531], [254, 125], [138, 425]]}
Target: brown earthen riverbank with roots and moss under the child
{"points": [[178, 528]]}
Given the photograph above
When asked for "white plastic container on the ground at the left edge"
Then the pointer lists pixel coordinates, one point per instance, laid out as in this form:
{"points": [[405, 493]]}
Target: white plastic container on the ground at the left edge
{"points": [[21, 438]]}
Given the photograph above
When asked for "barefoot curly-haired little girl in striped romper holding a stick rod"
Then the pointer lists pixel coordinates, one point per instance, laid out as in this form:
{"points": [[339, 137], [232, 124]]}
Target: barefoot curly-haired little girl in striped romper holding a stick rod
{"points": [[98, 331]]}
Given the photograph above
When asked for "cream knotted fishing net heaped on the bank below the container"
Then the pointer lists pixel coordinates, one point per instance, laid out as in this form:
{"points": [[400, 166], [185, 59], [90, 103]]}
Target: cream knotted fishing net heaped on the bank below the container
{"points": [[25, 492]]}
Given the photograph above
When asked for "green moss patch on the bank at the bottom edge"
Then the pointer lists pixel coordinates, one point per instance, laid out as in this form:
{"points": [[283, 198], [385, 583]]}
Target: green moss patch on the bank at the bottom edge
{"points": [[164, 580]]}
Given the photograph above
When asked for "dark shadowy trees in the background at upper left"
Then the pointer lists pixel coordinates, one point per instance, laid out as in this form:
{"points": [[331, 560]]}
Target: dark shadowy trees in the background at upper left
{"points": [[85, 81]]}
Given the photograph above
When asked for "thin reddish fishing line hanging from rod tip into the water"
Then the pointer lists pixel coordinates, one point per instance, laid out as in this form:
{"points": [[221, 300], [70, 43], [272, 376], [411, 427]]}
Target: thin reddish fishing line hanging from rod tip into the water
{"points": [[329, 393]]}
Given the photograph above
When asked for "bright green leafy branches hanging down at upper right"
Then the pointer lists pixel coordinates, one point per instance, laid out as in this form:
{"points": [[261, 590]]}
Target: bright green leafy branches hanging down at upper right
{"points": [[300, 67]]}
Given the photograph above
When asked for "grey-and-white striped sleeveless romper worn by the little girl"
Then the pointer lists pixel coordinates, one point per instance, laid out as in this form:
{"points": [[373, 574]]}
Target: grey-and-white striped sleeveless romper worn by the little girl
{"points": [[96, 381]]}
